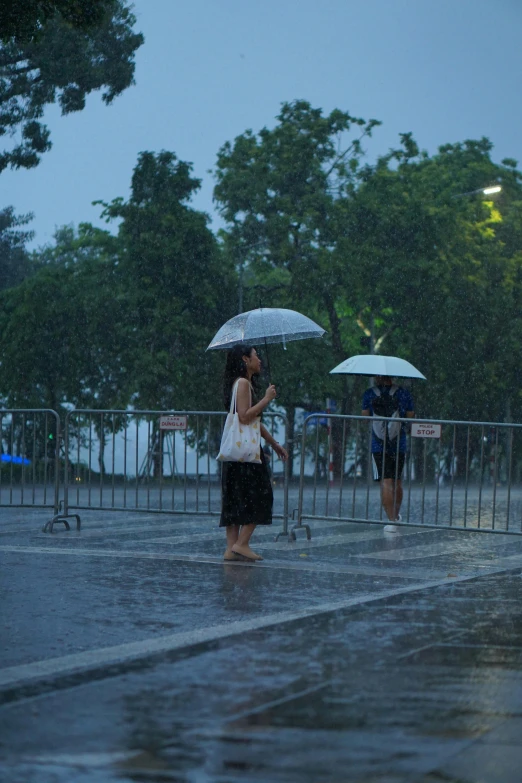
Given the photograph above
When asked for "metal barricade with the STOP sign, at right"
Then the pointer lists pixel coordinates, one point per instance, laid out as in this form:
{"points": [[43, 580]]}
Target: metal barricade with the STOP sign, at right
{"points": [[457, 474]]}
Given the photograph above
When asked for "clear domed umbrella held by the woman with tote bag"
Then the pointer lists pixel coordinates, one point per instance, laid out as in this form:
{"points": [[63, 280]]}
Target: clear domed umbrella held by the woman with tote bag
{"points": [[269, 324]]}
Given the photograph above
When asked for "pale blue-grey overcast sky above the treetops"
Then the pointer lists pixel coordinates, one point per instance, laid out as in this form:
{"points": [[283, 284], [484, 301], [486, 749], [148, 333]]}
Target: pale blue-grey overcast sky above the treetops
{"points": [[447, 70]]}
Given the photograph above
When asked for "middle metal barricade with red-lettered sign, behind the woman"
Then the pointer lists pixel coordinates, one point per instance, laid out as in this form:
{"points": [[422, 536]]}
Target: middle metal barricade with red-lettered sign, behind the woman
{"points": [[153, 461]]}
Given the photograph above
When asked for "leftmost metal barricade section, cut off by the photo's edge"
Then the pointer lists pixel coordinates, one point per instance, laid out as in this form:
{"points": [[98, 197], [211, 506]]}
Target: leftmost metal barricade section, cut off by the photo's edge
{"points": [[30, 458]]}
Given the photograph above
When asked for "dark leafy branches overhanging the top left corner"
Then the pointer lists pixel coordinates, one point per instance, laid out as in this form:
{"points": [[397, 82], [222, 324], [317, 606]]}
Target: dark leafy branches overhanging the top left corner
{"points": [[64, 62]]}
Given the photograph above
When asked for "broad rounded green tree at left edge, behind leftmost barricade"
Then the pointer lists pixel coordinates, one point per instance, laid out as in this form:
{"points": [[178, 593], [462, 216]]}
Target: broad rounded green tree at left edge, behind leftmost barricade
{"points": [[60, 339]]}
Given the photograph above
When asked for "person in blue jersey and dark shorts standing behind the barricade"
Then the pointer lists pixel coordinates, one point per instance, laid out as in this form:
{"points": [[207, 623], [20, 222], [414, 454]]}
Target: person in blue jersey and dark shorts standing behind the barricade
{"points": [[389, 440]]}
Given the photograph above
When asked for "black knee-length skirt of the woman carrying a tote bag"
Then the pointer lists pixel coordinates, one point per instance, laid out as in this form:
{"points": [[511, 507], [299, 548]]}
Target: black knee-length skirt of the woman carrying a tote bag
{"points": [[246, 493]]}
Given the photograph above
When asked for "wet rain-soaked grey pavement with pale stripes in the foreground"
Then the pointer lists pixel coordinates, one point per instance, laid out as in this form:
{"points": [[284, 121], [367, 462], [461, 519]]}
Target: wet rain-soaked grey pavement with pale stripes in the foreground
{"points": [[131, 652]]}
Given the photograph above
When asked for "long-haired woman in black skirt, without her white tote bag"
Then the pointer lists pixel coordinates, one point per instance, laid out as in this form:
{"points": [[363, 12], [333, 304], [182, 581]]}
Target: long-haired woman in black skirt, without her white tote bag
{"points": [[247, 496]]}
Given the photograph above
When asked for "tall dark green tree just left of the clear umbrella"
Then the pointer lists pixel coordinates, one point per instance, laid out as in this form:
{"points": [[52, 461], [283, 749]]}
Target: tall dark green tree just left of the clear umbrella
{"points": [[177, 286]]}
